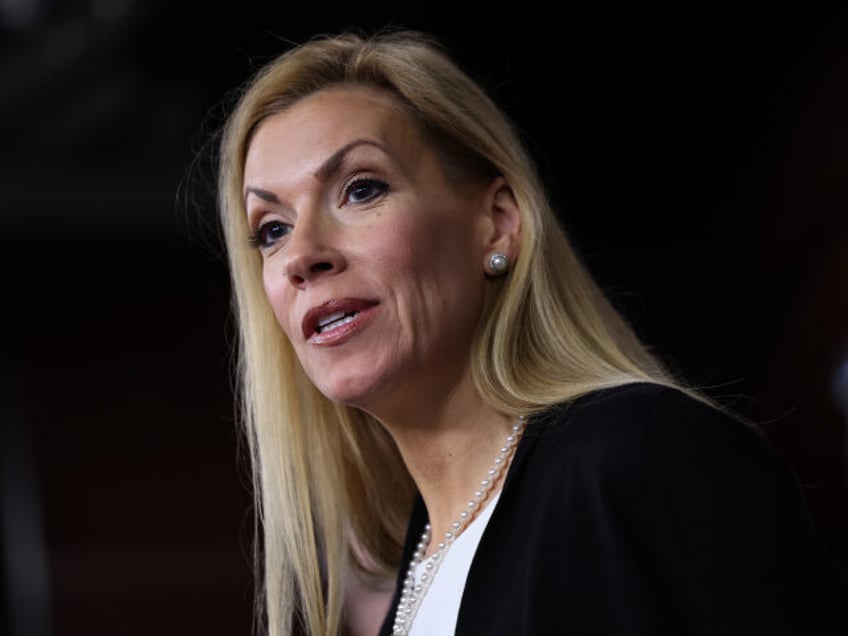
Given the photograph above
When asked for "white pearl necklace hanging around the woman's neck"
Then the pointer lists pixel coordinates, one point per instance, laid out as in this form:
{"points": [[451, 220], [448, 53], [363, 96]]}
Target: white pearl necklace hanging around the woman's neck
{"points": [[413, 594]]}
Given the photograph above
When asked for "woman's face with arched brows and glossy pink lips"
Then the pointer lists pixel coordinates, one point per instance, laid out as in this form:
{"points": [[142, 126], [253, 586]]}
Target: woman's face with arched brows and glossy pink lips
{"points": [[373, 261]]}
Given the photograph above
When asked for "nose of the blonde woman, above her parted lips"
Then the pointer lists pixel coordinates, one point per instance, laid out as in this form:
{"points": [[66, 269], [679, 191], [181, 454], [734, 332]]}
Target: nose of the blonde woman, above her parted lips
{"points": [[311, 252]]}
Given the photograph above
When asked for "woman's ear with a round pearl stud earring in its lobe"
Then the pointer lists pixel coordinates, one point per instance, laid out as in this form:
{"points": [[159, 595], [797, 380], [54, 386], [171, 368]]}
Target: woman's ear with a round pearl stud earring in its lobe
{"points": [[502, 228]]}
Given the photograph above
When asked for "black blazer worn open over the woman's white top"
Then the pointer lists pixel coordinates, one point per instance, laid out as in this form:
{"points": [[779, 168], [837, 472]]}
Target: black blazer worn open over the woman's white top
{"points": [[639, 510]]}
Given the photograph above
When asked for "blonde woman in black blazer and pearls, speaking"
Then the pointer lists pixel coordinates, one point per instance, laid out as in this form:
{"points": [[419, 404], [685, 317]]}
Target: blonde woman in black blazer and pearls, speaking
{"points": [[449, 423]]}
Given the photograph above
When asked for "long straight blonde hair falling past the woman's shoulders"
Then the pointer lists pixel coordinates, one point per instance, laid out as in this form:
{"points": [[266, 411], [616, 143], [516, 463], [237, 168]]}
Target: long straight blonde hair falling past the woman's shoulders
{"points": [[327, 475]]}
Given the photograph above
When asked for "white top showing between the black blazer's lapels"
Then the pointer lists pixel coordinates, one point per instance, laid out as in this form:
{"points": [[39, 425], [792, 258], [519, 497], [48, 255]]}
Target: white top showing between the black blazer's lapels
{"points": [[439, 609]]}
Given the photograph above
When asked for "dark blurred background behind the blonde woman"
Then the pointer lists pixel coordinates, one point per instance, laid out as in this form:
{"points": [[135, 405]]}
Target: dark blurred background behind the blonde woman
{"points": [[699, 160]]}
